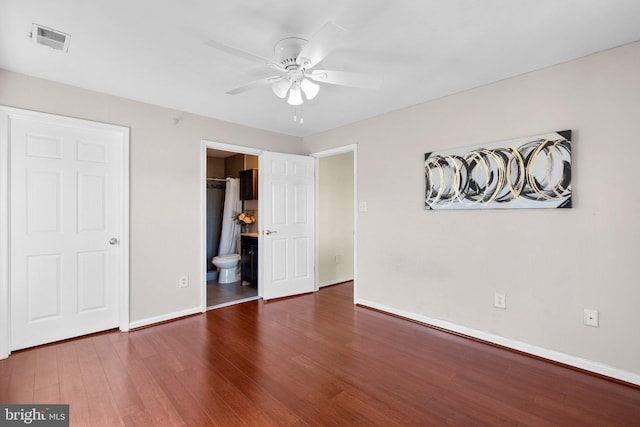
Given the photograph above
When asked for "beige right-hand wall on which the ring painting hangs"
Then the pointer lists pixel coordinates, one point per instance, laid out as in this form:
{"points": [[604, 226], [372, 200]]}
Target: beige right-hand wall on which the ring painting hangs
{"points": [[551, 264]]}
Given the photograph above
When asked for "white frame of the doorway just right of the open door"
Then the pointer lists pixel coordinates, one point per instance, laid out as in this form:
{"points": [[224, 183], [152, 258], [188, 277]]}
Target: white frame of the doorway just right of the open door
{"points": [[327, 153]]}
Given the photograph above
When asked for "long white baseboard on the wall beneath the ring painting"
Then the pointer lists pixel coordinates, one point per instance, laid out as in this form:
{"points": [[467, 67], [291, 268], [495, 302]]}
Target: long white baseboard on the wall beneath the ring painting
{"points": [[544, 353]]}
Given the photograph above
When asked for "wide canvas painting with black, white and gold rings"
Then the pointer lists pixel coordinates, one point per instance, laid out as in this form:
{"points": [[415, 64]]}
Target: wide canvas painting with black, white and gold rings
{"points": [[531, 172]]}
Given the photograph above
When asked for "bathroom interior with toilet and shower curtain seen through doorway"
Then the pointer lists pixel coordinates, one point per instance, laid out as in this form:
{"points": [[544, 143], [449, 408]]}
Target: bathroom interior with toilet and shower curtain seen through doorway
{"points": [[226, 282]]}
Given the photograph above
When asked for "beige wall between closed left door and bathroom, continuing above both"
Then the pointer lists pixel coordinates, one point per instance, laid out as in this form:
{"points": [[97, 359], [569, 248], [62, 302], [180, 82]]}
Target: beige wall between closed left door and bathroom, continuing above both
{"points": [[165, 182]]}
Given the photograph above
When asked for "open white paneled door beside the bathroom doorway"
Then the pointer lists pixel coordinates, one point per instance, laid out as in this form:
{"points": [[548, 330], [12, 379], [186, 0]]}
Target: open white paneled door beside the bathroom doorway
{"points": [[288, 224]]}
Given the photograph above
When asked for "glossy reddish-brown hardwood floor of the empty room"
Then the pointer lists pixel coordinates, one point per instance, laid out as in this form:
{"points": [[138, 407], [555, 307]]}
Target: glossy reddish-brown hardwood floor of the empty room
{"points": [[310, 360]]}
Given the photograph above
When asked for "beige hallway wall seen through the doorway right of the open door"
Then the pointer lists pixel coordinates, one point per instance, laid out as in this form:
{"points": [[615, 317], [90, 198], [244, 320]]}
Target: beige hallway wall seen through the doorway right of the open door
{"points": [[335, 219]]}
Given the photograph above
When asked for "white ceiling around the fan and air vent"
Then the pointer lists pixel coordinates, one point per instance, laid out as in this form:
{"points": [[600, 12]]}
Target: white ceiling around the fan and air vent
{"points": [[154, 50]]}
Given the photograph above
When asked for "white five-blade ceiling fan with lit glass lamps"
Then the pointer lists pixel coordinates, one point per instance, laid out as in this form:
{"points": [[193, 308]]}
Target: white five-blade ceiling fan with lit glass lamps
{"points": [[294, 59]]}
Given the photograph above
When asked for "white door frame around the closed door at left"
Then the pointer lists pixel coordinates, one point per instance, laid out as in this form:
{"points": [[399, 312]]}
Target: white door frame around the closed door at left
{"points": [[5, 220]]}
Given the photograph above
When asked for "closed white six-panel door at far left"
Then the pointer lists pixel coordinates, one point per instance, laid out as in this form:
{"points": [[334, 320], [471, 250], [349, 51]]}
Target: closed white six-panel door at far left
{"points": [[65, 198]]}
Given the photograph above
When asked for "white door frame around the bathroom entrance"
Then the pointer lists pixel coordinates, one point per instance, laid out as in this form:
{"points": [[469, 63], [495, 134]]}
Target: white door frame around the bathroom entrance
{"points": [[203, 208]]}
